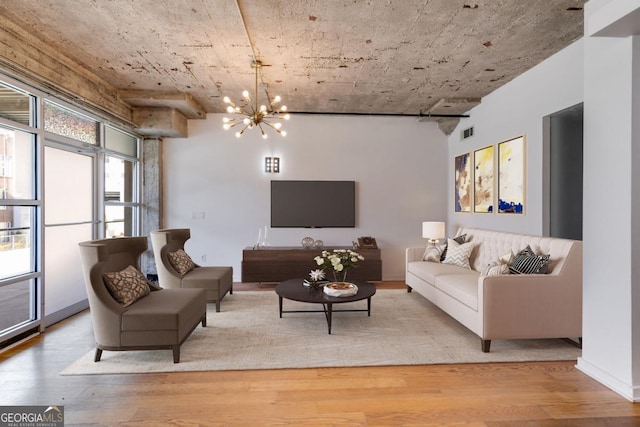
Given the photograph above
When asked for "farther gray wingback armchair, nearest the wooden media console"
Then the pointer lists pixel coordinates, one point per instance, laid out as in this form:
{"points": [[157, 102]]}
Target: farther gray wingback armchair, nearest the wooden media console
{"points": [[216, 280]]}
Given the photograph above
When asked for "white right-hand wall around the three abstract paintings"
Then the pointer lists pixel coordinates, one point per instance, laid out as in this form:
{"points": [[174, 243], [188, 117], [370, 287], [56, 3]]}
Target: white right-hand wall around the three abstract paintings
{"points": [[515, 109]]}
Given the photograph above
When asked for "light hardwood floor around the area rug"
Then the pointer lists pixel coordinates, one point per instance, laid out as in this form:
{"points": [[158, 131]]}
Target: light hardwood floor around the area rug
{"points": [[547, 394]]}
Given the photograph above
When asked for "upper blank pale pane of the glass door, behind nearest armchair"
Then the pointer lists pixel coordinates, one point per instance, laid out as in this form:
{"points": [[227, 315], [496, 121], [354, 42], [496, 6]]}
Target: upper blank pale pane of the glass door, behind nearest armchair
{"points": [[68, 187]]}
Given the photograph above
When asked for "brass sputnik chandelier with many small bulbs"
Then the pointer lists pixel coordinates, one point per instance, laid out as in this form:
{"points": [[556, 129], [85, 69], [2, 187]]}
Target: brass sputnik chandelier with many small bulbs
{"points": [[254, 116]]}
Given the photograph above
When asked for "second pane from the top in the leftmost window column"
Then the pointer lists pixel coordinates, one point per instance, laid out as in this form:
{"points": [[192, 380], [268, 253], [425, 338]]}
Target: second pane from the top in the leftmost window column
{"points": [[17, 164]]}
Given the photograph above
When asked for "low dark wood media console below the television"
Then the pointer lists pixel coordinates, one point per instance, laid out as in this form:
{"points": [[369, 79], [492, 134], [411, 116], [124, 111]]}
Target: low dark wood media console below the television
{"points": [[278, 263]]}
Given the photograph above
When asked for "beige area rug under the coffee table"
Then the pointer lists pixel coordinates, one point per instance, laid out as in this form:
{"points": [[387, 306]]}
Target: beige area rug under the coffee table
{"points": [[404, 329]]}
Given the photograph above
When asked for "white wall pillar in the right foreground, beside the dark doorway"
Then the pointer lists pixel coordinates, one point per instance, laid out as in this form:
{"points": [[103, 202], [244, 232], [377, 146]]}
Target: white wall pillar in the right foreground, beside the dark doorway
{"points": [[611, 351]]}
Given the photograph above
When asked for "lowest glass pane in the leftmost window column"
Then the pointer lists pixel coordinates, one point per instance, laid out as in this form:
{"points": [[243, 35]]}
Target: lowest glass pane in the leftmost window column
{"points": [[17, 305]]}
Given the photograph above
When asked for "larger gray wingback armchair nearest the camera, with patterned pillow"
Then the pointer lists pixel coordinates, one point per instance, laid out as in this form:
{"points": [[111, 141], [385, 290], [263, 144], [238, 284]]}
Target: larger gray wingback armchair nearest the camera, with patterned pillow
{"points": [[163, 319]]}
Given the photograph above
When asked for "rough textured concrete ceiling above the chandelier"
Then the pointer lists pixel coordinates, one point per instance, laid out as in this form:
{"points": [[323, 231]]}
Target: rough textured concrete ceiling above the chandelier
{"points": [[400, 57]]}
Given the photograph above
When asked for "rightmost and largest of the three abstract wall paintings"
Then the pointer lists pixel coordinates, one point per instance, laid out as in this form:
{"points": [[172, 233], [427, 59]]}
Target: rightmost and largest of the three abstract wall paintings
{"points": [[511, 166]]}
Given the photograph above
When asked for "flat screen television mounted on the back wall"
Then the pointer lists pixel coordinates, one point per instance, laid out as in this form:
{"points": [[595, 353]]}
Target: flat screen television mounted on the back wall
{"points": [[313, 204]]}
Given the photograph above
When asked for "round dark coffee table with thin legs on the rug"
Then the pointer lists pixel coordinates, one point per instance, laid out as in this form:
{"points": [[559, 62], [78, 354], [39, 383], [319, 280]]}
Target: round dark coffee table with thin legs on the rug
{"points": [[294, 290]]}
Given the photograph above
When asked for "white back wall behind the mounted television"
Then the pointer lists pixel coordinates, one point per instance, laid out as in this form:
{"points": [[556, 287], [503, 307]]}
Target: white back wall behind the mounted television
{"points": [[398, 164]]}
